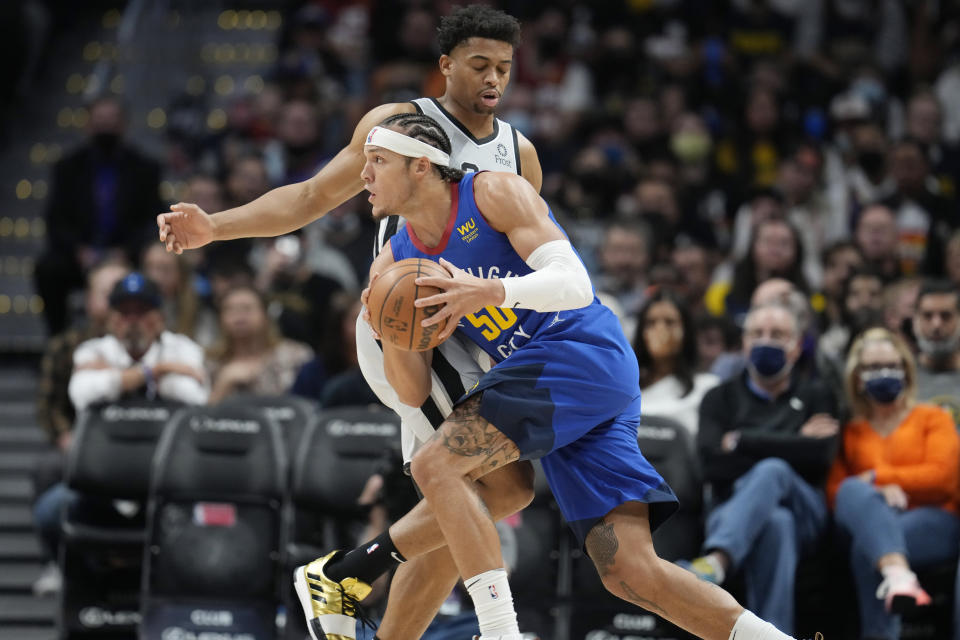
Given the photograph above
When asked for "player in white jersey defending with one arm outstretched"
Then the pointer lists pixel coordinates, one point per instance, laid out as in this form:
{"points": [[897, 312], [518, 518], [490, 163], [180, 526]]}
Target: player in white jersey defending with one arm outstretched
{"points": [[477, 45]]}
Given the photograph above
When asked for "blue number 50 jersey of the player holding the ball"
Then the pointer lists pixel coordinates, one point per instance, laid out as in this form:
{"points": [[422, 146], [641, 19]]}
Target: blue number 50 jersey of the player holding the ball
{"points": [[472, 245]]}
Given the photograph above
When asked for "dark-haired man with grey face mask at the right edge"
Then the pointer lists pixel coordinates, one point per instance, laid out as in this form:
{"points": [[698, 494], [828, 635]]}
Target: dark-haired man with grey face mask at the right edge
{"points": [[936, 328]]}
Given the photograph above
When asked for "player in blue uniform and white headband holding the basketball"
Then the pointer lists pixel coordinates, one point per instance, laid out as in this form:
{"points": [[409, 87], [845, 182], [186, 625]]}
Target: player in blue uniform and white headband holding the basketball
{"points": [[564, 389]]}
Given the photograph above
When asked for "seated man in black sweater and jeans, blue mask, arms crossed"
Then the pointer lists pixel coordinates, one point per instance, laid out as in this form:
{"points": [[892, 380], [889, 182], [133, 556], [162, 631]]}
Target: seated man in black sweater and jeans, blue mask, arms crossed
{"points": [[766, 440]]}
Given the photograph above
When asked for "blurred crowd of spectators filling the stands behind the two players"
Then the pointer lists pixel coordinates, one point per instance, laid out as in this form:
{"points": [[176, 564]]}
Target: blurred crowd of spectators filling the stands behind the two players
{"points": [[753, 184]]}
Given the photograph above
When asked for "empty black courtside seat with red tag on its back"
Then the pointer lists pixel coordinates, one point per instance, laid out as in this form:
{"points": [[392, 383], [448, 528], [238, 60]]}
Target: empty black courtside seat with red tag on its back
{"points": [[215, 522]]}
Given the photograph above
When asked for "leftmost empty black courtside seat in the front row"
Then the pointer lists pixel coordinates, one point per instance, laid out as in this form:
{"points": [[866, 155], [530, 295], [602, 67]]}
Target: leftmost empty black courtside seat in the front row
{"points": [[103, 540]]}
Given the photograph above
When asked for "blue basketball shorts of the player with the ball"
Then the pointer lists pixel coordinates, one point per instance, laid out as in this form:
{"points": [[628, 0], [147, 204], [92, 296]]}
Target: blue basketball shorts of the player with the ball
{"points": [[576, 407]]}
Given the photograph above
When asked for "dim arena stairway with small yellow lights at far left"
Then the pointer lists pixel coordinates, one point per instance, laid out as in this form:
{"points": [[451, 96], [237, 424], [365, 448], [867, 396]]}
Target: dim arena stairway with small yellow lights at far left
{"points": [[213, 50]]}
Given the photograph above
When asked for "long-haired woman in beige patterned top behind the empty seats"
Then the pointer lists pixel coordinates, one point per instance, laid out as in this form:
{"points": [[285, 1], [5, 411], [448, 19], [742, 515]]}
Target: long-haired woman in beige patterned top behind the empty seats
{"points": [[250, 356]]}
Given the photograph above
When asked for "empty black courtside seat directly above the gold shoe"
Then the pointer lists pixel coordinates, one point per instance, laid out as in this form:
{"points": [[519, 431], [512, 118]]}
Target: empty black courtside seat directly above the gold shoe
{"points": [[339, 450]]}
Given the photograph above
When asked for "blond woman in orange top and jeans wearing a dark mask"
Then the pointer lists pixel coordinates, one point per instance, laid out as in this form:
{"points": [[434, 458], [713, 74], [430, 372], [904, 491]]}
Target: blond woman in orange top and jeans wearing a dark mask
{"points": [[894, 484]]}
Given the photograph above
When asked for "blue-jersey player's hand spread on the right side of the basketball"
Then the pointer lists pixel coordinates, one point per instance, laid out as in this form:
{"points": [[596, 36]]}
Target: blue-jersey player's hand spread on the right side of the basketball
{"points": [[461, 294]]}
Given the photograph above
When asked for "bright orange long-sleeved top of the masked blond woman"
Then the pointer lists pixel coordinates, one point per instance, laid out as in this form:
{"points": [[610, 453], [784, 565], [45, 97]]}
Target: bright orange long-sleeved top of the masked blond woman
{"points": [[922, 456]]}
